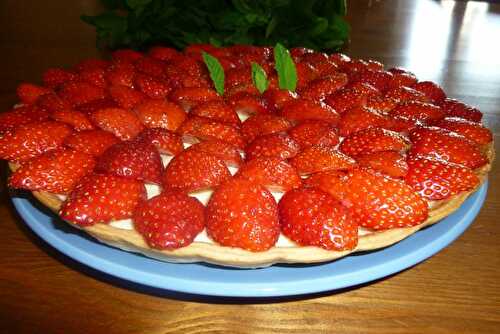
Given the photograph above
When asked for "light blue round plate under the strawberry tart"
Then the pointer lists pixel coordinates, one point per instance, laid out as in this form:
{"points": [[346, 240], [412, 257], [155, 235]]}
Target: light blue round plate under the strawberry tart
{"points": [[278, 280]]}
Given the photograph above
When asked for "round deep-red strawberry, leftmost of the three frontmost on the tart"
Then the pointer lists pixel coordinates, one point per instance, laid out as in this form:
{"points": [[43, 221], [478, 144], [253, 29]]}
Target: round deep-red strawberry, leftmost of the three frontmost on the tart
{"points": [[170, 220]]}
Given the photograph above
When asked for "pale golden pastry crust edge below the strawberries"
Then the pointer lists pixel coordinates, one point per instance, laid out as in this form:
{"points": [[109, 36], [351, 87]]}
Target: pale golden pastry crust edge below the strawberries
{"points": [[132, 241]]}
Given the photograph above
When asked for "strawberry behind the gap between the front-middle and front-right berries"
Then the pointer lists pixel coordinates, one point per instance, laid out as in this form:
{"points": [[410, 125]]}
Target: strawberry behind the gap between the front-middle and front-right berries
{"points": [[273, 173]]}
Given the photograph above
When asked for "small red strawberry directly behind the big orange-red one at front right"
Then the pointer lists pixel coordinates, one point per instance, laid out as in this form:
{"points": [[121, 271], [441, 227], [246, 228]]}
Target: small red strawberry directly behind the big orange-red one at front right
{"points": [[388, 162]]}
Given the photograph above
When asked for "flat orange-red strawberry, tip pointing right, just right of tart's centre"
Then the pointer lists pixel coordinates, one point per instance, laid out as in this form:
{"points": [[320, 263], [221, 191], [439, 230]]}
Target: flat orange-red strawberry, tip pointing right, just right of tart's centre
{"points": [[315, 159]]}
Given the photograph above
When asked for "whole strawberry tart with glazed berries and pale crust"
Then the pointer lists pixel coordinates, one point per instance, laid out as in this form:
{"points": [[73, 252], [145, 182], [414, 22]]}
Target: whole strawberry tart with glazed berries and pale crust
{"points": [[142, 153]]}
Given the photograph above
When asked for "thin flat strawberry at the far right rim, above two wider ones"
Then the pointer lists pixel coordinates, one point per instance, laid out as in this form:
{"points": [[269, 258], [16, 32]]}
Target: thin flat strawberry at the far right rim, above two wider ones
{"points": [[470, 130]]}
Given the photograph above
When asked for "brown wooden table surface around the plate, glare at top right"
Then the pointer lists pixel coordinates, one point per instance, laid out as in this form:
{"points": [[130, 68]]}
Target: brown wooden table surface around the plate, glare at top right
{"points": [[455, 291]]}
